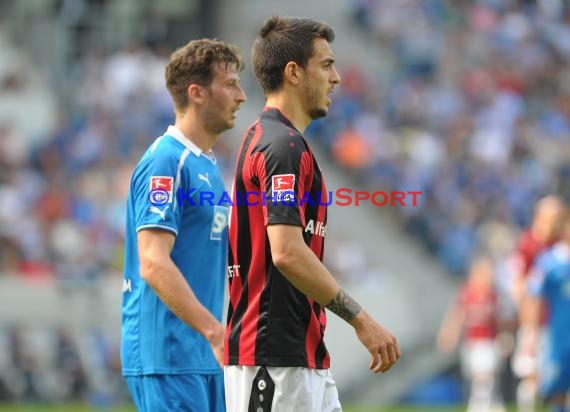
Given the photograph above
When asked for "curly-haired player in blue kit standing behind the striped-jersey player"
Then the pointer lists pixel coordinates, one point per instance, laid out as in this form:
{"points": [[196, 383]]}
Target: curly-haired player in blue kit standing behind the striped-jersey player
{"points": [[176, 247]]}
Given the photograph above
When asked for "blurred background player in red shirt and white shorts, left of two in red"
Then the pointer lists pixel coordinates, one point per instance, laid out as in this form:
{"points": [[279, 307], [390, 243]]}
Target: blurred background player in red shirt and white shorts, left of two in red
{"points": [[473, 320]]}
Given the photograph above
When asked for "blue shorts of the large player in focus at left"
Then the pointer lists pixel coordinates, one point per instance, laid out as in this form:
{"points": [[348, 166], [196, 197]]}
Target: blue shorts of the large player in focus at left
{"points": [[184, 393]]}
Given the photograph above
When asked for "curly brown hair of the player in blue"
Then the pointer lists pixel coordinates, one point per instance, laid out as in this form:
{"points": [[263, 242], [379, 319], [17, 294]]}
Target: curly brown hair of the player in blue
{"points": [[194, 64]]}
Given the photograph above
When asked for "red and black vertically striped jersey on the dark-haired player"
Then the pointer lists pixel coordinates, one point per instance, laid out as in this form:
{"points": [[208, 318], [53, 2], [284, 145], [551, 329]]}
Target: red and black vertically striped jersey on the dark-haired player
{"points": [[277, 181]]}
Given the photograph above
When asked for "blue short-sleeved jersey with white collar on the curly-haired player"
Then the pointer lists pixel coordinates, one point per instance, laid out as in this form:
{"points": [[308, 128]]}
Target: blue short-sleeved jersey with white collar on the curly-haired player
{"points": [[178, 188]]}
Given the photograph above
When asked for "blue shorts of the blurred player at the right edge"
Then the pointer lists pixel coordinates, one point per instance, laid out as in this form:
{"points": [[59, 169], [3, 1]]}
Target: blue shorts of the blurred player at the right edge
{"points": [[555, 374]]}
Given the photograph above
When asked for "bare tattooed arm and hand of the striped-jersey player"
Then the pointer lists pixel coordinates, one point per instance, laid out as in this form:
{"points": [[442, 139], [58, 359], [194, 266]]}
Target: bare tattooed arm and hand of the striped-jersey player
{"points": [[305, 271]]}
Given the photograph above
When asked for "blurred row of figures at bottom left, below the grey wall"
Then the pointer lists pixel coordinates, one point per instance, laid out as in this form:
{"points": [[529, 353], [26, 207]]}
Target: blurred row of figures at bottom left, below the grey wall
{"points": [[55, 366]]}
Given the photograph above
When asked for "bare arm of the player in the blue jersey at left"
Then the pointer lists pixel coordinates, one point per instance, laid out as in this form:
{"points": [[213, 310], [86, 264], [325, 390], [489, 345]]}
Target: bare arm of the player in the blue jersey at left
{"points": [[161, 274]]}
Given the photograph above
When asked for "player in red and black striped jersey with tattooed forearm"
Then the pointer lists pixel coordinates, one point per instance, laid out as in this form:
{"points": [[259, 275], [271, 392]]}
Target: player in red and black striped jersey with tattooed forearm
{"points": [[274, 354]]}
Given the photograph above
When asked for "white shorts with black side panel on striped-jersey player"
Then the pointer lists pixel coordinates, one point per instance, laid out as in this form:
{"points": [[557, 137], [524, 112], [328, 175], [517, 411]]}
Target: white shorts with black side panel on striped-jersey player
{"points": [[280, 389]]}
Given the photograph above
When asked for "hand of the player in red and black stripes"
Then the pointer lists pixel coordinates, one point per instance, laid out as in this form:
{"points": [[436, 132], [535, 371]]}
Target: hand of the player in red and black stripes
{"points": [[381, 344]]}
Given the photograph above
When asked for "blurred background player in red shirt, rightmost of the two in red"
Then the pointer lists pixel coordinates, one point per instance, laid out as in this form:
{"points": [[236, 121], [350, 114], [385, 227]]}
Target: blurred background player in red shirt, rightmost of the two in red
{"points": [[536, 239]]}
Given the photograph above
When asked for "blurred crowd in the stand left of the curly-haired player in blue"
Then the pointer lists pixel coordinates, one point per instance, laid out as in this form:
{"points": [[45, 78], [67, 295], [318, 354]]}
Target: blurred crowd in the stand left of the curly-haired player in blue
{"points": [[67, 191]]}
